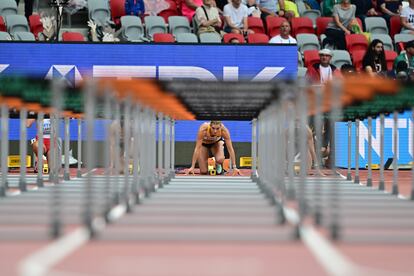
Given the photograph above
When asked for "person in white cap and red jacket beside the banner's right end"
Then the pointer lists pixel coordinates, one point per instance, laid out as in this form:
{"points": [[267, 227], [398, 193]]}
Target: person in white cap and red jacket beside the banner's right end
{"points": [[323, 71]]}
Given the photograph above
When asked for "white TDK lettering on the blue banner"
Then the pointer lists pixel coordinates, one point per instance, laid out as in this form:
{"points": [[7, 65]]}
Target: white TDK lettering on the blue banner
{"points": [[174, 72]]}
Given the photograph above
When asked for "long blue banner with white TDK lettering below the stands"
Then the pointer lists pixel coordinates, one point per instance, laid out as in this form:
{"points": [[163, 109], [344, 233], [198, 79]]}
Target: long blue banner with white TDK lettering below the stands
{"points": [[75, 61]]}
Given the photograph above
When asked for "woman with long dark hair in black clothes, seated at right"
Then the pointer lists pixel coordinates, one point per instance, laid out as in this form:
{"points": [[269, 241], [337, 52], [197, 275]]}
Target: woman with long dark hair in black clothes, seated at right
{"points": [[374, 62]]}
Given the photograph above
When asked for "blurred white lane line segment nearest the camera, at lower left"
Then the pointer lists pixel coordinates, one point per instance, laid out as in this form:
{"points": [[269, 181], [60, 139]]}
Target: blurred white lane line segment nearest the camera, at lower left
{"points": [[40, 262]]}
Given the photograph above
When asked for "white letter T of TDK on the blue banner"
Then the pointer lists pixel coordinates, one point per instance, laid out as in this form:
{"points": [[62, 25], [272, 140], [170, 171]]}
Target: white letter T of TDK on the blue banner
{"points": [[124, 72]]}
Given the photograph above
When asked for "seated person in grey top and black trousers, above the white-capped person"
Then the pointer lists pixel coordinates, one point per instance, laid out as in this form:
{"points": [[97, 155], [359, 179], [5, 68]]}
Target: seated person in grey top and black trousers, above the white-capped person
{"points": [[344, 19]]}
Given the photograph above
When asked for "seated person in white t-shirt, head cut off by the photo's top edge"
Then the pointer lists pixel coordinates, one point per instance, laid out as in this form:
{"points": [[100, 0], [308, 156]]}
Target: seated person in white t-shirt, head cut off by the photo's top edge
{"points": [[235, 15]]}
